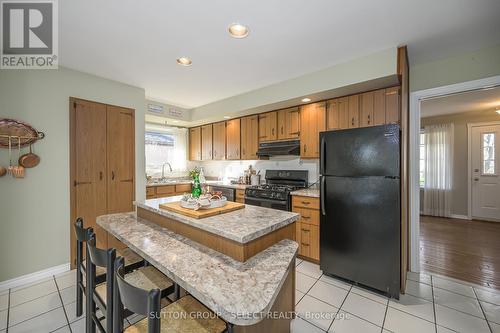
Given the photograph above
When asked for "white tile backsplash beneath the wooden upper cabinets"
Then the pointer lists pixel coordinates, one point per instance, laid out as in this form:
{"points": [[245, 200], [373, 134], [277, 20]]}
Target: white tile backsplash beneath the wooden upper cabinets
{"points": [[227, 170]]}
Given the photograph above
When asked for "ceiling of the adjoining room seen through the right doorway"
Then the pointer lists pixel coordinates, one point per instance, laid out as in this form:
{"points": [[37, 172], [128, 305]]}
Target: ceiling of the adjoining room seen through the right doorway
{"points": [[478, 100]]}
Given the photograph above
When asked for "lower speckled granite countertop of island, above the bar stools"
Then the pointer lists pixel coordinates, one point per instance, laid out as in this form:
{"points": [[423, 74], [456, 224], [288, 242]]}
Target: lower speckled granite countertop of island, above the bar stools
{"points": [[237, 291]]}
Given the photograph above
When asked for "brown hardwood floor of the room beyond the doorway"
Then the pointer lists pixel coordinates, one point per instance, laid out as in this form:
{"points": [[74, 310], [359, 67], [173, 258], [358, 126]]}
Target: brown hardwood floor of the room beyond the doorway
{"points": [[461, 249]]}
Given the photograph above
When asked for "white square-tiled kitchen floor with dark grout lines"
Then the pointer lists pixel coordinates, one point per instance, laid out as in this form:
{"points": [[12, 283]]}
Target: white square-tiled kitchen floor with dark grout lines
{"points": [[432, 304]]}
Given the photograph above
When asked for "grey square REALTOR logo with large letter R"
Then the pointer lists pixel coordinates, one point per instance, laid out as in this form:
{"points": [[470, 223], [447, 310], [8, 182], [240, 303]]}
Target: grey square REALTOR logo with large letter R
{"points": [[29, 34]]}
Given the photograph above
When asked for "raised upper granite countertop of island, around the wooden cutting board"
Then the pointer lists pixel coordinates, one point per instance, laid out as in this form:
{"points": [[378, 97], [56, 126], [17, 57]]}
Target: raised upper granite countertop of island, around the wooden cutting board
{"points": [[242, 226]]}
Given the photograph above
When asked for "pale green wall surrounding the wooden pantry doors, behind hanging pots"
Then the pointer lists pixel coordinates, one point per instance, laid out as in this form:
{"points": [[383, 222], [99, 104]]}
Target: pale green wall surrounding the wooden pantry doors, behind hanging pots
{"points": [[34, 212]]}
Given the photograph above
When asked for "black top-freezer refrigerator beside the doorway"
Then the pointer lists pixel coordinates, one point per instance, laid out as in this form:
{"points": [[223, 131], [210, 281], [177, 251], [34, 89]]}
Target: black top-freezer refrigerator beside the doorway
{"points": [[360, 206]]}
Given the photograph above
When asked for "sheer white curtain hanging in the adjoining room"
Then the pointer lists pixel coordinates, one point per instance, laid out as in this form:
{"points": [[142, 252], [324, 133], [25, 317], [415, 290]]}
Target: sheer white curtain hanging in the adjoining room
{"points": [[438, 169]]}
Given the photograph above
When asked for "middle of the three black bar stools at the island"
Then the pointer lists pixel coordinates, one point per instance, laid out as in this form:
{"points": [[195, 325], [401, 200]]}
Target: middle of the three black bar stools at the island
{"points": [[101, 296]]}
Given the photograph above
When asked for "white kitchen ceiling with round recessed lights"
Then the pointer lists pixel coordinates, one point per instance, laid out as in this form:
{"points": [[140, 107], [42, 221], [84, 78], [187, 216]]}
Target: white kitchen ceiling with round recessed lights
{"points": [[137, 42]]}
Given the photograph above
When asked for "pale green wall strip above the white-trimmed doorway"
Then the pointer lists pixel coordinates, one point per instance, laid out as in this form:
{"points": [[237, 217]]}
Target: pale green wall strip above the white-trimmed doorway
{"points": [[461, 68]]}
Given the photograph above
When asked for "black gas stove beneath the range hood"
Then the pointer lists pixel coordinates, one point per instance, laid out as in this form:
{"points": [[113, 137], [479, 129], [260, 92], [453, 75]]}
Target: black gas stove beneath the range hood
{"points": [[276, 192]]}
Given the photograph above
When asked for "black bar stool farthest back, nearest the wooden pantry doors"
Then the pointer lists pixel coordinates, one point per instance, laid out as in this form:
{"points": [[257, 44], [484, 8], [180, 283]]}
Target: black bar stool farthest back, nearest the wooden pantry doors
{"points": [[132, 261]]}
